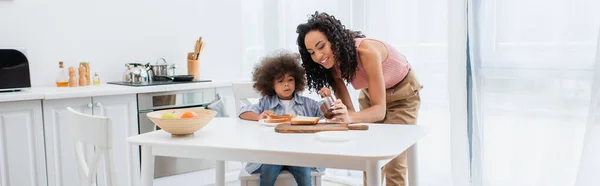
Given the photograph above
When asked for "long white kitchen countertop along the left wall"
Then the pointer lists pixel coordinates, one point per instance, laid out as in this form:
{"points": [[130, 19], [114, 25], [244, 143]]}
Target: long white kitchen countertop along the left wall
{"points": [[101, 90]]}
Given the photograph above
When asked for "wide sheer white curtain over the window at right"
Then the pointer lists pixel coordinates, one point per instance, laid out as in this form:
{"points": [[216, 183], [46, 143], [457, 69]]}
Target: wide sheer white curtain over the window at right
{"points": [[532, 63]]}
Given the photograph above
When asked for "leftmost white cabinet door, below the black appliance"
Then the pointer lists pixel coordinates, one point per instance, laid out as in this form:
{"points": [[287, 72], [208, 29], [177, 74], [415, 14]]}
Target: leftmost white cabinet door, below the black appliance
{"points": [[22, 158]]}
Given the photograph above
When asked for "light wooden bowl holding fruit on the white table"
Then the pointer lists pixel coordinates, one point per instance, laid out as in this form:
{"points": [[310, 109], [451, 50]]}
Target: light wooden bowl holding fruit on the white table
{"points": [[182, 126]]}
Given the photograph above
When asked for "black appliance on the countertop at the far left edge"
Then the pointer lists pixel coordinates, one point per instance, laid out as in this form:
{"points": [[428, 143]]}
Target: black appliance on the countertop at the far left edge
{"points": [[14, 70]]}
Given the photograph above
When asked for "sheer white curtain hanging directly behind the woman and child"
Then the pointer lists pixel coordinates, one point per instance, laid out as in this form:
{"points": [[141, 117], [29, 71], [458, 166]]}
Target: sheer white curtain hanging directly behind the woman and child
{"points": [[418, 28]]}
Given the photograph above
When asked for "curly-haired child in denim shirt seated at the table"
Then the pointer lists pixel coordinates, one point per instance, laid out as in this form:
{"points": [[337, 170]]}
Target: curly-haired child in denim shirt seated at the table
{"points": [[279, 79]]}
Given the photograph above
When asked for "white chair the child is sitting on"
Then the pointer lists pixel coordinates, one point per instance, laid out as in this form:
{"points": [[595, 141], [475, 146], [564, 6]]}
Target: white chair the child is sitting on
{"points": [[242, 92]]}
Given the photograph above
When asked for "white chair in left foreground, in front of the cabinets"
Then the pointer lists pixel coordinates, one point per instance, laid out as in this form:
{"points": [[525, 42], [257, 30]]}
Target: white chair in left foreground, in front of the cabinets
{"points": [[91, 130]]}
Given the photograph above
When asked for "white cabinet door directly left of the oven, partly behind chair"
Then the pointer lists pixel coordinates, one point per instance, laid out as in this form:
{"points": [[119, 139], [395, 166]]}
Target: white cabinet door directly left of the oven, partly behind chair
{"points": [[122, 110]]}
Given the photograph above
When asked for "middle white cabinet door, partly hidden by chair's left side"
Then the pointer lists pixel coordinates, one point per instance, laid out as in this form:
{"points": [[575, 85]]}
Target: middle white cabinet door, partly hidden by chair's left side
{"points": [[60, 149]]}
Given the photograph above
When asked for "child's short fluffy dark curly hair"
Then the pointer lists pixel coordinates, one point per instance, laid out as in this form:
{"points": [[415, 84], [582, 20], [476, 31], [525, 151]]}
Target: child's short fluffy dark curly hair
{"points": [[275, 66]]}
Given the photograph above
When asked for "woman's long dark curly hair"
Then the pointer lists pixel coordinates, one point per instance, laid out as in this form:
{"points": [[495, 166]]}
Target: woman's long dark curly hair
{"points": [[342, 45]]}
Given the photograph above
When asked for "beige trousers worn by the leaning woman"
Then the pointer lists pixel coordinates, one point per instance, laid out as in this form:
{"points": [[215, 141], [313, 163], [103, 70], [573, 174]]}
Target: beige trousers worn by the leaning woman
{"points": [[403, 102]]}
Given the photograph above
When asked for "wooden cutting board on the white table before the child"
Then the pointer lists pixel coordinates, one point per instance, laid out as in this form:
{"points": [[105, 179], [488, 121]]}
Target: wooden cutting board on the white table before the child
{"points": [[289, 128]]}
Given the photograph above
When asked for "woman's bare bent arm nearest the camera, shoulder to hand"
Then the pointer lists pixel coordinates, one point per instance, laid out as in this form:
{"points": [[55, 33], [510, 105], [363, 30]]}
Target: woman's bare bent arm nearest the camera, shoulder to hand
{"points": [[371, 55]]}
